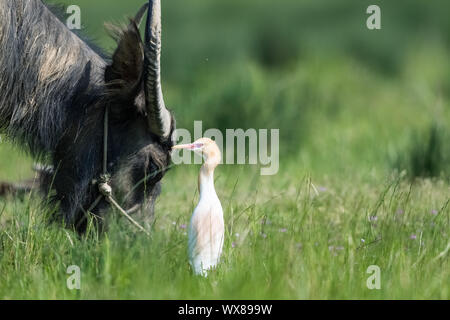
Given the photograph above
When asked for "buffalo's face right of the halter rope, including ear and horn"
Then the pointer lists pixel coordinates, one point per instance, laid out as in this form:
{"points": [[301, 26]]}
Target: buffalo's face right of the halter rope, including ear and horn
{"points": [[141, 127]]}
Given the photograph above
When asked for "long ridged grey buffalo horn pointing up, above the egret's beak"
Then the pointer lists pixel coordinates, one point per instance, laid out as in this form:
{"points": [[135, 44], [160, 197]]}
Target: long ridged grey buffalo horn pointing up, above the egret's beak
{"points": [[159, 118]]}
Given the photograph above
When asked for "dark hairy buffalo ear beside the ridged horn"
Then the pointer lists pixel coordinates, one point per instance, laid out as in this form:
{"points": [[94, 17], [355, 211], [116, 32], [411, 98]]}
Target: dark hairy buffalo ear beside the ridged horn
{"points": [[125, 71]]}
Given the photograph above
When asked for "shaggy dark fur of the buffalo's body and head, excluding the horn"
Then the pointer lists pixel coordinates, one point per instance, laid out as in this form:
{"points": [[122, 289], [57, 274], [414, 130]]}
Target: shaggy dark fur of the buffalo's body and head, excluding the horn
{"points": [[53, 96]]}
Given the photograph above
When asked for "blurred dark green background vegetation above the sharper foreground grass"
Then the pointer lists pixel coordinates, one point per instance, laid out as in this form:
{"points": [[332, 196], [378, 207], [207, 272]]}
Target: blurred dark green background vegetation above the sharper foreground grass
{"points": [[372, 98]]}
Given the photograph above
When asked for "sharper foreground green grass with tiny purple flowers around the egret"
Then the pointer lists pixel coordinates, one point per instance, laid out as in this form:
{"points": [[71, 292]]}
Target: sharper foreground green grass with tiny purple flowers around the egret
{"points": [[287, 237]]}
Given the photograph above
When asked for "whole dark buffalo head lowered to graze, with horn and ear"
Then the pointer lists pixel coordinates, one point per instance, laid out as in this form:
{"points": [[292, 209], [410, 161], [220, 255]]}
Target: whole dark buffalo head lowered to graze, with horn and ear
{"points": [[139, 133]]}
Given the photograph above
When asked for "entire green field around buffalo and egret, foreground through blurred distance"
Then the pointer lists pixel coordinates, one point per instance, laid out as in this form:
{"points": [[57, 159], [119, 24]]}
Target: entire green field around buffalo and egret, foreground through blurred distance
{"points": [[364, 173]]}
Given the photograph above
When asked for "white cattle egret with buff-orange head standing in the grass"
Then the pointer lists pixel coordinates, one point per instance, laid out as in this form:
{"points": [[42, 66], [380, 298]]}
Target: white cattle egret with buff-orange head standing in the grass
{"points": [[206, 228]]}
